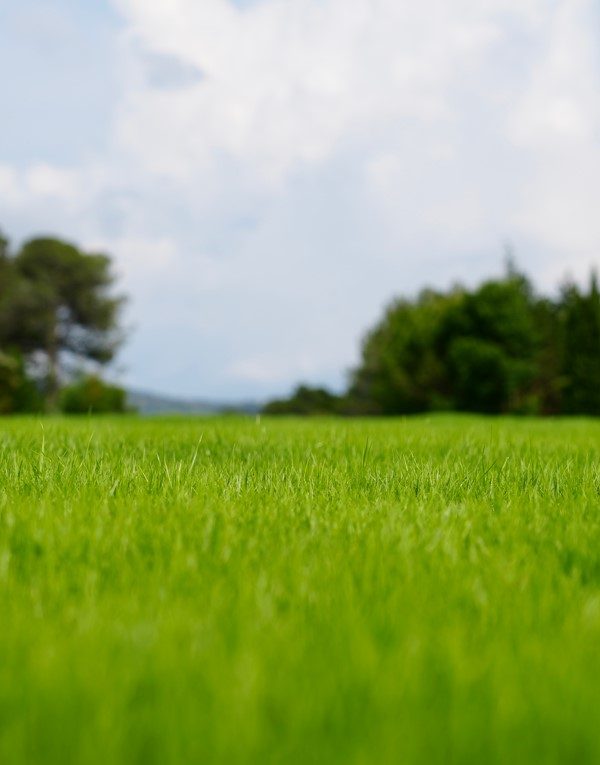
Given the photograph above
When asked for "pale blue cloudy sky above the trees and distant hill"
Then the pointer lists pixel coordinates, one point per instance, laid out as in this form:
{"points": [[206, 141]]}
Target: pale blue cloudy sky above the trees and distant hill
{"points": [[269, 174]]}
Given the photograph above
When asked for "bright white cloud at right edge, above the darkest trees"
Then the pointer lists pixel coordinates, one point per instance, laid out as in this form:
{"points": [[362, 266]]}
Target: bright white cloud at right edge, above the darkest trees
{"points": [[558, 122]]}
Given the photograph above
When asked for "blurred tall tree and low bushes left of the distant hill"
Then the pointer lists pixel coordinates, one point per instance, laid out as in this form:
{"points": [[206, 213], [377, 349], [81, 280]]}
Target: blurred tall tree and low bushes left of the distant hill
{"points": [[59, 325]]}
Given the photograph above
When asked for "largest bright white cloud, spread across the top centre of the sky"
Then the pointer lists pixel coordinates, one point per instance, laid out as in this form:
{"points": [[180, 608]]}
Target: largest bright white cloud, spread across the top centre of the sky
{"points": [[287, 82]]}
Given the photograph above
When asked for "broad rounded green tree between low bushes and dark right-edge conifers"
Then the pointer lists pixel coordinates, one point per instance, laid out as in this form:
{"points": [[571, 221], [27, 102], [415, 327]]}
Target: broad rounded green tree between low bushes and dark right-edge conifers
{"points": [[474, 351]]}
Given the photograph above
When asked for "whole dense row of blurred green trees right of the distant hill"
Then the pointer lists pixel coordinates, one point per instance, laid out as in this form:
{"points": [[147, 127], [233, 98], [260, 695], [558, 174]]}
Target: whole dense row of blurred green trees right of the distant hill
{"points": [[497, 348]]}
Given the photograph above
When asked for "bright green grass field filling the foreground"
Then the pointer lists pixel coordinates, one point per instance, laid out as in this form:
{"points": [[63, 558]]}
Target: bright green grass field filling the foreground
{"points": [[227, 591]]}
